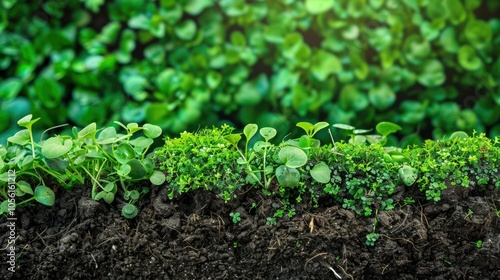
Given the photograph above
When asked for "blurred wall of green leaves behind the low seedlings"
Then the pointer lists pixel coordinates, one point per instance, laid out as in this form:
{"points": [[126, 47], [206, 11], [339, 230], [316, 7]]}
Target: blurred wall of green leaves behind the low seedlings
{"points": [[426, 65]]}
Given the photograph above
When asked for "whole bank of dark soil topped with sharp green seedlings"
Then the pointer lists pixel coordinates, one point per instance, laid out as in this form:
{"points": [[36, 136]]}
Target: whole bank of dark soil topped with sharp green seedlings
{"points": [[217, 202]]}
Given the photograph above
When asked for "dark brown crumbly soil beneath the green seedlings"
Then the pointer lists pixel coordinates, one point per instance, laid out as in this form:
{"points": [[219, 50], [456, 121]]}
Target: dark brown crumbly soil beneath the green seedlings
{"points": [[194, 238]]}
